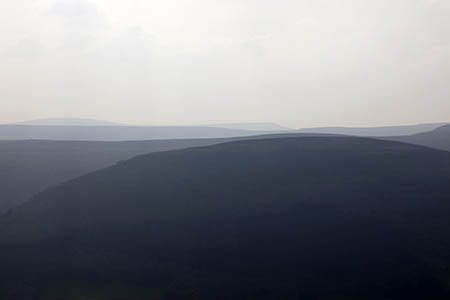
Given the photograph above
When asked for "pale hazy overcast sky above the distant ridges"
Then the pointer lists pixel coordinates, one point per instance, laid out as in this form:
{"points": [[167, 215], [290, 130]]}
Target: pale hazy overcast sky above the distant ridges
{"points": [[295, 62]]}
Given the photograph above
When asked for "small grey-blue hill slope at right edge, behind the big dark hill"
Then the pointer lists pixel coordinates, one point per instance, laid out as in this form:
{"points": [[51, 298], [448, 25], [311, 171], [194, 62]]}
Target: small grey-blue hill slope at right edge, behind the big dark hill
{"points": [[438, 138]]}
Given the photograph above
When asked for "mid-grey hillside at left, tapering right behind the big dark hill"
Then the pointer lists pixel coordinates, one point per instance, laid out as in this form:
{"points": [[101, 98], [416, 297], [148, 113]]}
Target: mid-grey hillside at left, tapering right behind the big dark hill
{"points": [[28, 167]]}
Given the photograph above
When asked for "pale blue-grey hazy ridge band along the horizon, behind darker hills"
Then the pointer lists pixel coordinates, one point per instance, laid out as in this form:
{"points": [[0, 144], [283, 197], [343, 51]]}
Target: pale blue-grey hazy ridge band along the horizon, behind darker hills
{"points": [[132, 133]]}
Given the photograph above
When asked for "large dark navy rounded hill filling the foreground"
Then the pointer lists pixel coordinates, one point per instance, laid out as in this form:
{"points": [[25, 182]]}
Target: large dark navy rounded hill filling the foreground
{"points": [[290, 218]]}
